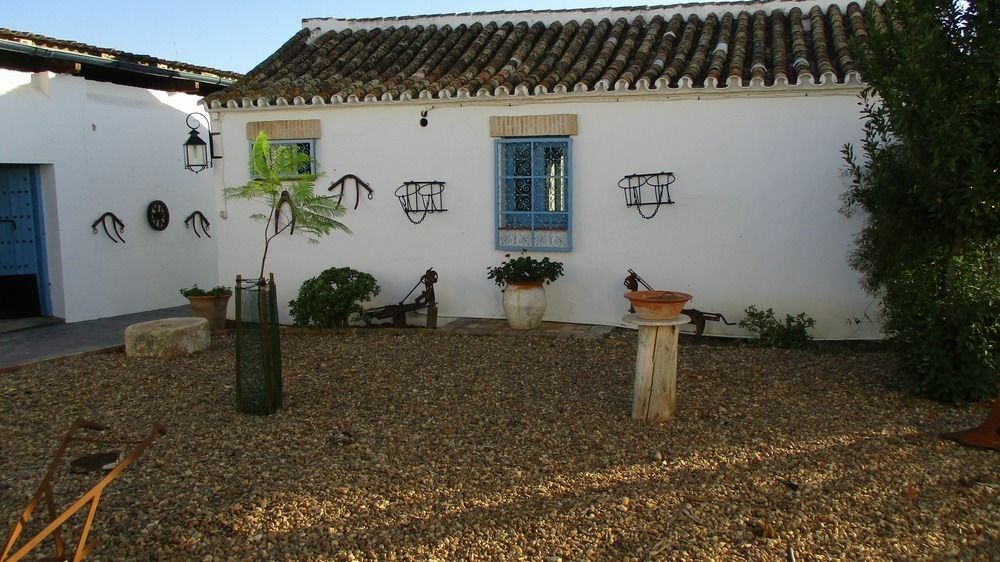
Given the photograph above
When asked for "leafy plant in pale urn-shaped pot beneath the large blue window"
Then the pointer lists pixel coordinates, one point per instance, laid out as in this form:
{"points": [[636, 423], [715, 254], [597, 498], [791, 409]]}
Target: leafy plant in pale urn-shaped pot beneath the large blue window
{"points": [[522, 281]]}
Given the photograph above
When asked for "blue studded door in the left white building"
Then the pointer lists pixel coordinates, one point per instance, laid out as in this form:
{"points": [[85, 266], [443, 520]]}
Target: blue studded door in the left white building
{"points": [[22, 265]]}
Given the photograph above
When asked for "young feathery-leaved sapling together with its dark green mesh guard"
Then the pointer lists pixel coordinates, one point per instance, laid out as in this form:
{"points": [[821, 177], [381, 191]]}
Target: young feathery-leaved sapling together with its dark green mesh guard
{"points": [[291, 206]]}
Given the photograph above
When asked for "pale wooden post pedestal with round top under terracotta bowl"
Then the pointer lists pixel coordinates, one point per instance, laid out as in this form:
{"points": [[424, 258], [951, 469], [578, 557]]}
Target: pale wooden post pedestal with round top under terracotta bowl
{"points": [[654, 395]]}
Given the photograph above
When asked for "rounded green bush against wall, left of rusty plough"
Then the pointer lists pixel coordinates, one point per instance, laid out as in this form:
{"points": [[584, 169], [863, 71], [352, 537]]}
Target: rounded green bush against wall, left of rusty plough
{"points": [[329, 299]]}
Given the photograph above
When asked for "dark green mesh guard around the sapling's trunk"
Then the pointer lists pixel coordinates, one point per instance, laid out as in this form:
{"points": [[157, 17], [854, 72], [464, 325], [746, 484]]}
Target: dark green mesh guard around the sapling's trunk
{"points": [[258, 347]]}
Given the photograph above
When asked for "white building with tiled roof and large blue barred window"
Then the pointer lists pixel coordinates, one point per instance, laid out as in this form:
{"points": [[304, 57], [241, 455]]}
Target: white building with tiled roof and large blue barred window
{"points": [[748, 104]]}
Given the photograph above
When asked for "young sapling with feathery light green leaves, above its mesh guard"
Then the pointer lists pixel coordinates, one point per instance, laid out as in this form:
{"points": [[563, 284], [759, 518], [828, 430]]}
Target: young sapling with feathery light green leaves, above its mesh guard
{"points": [[278, 185]]}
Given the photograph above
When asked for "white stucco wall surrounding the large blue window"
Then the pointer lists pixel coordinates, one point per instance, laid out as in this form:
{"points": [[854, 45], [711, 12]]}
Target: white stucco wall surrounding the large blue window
{"points": [[755, 221]]}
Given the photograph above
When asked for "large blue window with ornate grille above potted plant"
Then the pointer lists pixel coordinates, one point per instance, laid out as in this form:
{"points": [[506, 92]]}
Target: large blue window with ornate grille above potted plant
{"points": [[533, 187]]}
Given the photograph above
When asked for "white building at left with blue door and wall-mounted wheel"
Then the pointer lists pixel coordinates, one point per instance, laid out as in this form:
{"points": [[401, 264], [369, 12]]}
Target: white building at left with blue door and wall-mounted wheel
{"points": [[90, 131]]}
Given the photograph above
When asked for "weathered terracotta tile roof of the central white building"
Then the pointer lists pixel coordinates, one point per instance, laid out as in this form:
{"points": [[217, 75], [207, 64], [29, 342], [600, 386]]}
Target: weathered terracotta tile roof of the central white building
{"points": [[738, 45]]}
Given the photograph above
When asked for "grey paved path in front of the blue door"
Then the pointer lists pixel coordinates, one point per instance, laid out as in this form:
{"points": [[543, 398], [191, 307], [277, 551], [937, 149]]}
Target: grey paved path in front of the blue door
{"points": [[37, 344]]}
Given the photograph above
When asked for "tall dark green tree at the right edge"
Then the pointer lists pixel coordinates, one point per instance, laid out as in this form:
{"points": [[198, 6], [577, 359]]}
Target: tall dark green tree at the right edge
{"points": [[930, 190]]}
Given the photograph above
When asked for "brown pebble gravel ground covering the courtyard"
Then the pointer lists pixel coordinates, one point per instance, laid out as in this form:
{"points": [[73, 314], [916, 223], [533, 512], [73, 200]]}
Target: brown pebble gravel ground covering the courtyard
{"points": [[422, 445]]}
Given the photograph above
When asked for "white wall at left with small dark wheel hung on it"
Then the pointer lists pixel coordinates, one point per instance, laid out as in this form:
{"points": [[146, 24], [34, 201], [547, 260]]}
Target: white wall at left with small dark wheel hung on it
{"points": [[105, 147]]}
